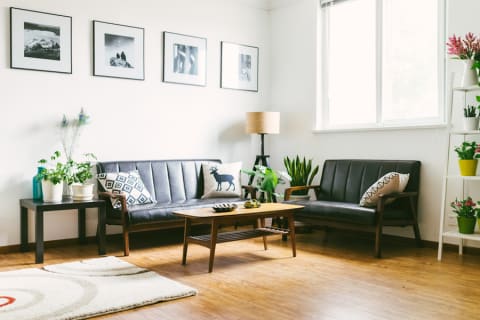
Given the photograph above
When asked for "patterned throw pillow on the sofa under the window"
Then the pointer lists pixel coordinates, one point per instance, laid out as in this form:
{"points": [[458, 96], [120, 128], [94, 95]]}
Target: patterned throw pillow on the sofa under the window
{"points": [[390, 183]]}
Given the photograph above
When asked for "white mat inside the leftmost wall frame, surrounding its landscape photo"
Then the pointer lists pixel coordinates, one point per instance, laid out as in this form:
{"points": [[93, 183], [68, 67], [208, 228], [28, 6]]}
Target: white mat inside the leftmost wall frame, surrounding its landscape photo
{"points": [[18, 60]]}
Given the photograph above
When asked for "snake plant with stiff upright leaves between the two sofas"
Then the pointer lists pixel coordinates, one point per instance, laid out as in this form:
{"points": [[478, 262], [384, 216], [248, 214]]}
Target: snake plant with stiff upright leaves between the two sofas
{"points": [[302, 173]]}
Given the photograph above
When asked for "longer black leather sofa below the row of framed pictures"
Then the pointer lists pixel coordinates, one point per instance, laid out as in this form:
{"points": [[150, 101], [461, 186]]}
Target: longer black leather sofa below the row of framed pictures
{"points": [[174, 185]]}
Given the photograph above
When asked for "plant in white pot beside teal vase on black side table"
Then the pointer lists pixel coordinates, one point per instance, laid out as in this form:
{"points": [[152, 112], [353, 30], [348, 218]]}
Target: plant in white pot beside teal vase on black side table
{"points": [[52, 175]]}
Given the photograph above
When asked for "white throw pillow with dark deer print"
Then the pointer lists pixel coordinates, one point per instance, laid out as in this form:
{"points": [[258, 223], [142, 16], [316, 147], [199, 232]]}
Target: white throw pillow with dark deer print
{"points": [[221, 180]]}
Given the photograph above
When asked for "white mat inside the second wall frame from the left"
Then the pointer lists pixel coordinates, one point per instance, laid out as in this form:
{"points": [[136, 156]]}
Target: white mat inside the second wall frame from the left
{"points": [[101, 68]]}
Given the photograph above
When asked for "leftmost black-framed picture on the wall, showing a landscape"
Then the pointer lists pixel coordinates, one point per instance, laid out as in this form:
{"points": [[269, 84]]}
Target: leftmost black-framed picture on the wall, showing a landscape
{"points": [[40, 41]]}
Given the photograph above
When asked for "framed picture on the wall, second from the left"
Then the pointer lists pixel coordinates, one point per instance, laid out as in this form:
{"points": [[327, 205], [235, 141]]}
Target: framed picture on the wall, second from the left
{"points": [[118, 51]]}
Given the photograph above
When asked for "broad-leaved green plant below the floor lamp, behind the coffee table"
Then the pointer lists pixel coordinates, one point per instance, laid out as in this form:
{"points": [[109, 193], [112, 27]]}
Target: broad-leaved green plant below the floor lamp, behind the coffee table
{"points": [[267, 180]]}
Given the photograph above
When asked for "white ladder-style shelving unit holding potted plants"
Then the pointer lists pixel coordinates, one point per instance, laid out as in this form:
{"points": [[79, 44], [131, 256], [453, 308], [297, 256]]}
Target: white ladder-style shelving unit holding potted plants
{"points": [[447, 177]]}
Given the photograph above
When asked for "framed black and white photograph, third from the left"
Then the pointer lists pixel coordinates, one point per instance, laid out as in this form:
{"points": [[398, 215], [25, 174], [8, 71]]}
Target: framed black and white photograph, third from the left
{"points": [[184, 59]]}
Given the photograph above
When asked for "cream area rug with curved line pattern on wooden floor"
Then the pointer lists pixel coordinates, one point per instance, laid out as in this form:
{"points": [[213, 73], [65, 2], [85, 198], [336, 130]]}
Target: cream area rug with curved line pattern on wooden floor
{"points": [[79, 290]]}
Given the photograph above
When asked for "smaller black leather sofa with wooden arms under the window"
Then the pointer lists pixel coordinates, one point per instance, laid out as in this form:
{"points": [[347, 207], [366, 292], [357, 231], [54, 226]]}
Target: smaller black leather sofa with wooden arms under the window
{"points": [[342, 184]]}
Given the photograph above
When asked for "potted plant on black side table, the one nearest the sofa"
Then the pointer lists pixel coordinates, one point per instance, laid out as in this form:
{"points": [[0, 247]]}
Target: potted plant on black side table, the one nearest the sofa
{"points": [[81, 172]]}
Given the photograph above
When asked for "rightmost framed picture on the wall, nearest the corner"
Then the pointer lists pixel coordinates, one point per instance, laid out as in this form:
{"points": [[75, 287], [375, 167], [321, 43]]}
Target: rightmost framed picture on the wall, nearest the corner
{"points": [[239, 67]]}
